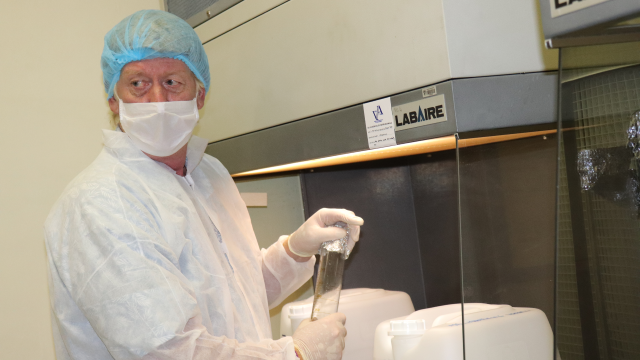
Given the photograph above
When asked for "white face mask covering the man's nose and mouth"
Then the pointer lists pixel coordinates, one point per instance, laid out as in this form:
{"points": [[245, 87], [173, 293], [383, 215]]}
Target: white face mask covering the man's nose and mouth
{"points": [[161, 128]]}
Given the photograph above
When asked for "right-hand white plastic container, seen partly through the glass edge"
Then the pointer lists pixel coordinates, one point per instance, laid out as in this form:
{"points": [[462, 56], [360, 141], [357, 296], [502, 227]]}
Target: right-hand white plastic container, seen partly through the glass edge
{"points": [[491, 332]]}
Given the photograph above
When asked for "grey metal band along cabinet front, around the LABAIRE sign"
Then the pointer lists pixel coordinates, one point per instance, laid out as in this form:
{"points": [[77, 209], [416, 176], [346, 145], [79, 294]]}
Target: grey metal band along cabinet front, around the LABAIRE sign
{"points": [[471, 105]]}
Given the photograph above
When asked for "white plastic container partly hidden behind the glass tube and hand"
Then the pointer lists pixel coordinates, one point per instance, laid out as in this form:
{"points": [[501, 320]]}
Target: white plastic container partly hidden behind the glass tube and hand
{"points": [[364, 308]]}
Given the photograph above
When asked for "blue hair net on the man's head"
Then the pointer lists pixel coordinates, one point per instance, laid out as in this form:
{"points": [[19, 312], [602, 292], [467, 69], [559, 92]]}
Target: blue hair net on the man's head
{"points": [[149, 34]]}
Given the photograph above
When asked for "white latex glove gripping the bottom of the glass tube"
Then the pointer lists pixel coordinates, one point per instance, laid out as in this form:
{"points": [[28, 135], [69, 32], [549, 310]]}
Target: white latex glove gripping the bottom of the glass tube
{"points": [[321, 339]]}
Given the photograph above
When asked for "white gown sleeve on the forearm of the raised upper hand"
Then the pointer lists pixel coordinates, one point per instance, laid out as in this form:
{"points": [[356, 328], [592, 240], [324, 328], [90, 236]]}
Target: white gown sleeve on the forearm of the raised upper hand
{"points": [[282, 274]]}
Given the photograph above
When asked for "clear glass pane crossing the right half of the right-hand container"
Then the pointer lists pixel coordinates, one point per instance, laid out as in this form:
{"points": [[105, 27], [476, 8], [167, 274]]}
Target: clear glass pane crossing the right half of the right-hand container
{"points": [[507, 227]]}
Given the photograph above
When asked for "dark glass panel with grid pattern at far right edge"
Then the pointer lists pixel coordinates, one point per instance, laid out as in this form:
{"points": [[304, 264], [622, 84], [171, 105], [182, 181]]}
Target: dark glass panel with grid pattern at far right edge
{"points": [[598, 294]]}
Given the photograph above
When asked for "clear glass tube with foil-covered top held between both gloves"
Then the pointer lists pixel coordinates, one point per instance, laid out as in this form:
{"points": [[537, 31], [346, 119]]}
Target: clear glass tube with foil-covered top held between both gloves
{"points": [[329, 282]]}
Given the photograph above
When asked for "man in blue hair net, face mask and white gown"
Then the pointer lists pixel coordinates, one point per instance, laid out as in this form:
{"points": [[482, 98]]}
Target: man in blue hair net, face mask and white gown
{"points": [[151, 250]]}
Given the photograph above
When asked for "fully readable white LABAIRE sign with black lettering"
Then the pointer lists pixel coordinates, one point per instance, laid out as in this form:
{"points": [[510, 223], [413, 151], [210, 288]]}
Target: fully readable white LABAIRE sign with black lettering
{"points": [[420, 113]]}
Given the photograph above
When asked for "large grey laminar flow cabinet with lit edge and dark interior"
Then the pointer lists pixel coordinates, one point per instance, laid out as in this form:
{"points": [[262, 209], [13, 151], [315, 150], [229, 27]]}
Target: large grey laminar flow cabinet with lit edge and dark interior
{"points": [[460, 210]]}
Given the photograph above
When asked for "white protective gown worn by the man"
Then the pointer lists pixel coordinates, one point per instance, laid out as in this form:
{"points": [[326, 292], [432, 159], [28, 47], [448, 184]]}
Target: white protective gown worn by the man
{"points": [[144, 263]]}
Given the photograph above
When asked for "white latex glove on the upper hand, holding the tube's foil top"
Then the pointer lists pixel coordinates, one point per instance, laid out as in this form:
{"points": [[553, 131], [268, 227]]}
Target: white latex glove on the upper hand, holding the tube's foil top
{"points": [[317, 229]]}
